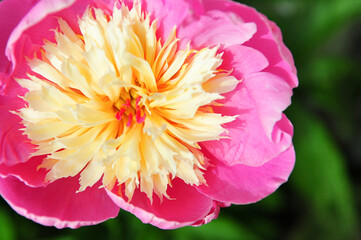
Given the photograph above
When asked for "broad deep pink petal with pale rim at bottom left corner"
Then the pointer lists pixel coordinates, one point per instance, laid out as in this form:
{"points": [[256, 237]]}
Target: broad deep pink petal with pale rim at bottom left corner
{"points": [[57, 204]]}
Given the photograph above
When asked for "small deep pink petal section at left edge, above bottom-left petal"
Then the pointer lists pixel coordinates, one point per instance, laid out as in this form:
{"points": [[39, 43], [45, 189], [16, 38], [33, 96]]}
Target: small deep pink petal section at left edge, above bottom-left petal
{"points": [[27, 172]]}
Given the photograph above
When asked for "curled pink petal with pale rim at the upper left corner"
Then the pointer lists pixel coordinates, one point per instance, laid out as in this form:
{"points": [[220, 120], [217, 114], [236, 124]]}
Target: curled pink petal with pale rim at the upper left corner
{"points": [[36, 26]]}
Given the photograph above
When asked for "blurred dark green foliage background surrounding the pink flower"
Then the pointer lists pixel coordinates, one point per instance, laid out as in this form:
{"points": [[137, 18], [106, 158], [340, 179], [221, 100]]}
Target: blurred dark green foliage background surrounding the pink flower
{"points": [[322, 199]]}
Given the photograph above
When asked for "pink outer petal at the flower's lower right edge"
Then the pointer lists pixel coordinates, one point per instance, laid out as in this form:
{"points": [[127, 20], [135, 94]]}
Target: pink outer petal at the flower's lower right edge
{"points": [[241, 184]]}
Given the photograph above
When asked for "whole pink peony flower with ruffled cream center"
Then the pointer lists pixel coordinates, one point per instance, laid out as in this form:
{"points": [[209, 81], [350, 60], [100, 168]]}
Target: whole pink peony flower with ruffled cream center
{"points": [[166, 109]]}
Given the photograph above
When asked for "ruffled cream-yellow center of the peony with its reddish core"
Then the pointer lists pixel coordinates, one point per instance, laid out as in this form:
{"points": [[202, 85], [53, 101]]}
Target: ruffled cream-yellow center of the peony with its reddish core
{"points": [[116, 103]]}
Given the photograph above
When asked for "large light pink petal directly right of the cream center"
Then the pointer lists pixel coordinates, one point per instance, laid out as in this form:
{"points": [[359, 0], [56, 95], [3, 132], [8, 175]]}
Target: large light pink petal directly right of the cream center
{"points": [[259, 101]]}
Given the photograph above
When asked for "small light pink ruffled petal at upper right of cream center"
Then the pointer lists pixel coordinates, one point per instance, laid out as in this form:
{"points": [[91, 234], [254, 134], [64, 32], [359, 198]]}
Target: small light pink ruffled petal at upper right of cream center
{"points": [[216, 28]]}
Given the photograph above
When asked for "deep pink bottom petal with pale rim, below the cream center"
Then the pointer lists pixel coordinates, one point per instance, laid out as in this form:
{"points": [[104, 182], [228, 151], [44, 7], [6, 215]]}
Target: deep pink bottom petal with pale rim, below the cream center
{"points": [[186, 207]]}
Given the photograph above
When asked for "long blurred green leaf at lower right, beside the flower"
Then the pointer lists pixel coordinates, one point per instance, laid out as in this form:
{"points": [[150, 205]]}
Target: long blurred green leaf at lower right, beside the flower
{"points": [[321, 179]]}
